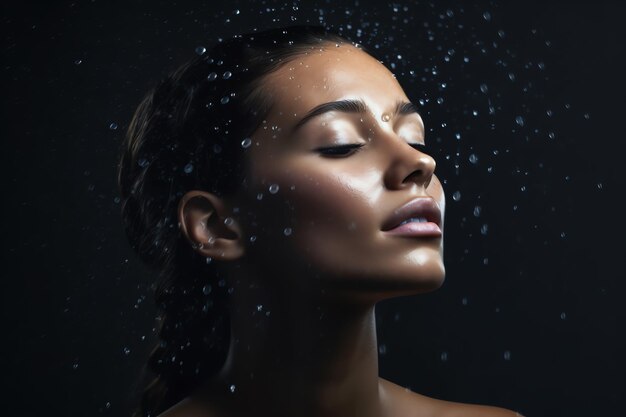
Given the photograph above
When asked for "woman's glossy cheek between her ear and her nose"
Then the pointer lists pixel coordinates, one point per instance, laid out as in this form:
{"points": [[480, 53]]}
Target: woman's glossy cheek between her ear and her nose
{"points": [[332, 213]]}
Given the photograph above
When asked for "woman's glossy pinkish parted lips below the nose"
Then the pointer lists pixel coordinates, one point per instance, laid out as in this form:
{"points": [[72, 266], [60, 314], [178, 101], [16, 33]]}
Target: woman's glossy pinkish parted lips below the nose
{"points": [[424, 207]]}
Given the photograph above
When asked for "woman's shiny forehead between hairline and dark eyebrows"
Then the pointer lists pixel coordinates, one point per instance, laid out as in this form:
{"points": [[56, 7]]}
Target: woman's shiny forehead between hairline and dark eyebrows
{"points": [[330, 73]]}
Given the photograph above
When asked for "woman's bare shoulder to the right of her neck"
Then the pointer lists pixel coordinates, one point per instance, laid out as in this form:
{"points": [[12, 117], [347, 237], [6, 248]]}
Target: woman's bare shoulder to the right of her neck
{"points": [[406, 402]]}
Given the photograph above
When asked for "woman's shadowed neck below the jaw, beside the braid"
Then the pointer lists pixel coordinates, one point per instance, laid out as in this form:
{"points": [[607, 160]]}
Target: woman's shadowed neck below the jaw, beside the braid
{"points": [[294, 352]]}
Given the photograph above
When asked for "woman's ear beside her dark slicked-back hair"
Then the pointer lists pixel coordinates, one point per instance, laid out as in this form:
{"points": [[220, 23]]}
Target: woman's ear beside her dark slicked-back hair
{"points": [[211, 230]]}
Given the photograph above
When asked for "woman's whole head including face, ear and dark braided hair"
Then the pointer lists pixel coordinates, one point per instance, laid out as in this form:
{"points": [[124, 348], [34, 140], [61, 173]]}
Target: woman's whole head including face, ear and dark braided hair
{"points": [[220, 168]]}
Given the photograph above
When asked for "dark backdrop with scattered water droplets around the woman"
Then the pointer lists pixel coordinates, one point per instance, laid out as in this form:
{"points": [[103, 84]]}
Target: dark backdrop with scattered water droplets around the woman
{"points": [[523, 104]]}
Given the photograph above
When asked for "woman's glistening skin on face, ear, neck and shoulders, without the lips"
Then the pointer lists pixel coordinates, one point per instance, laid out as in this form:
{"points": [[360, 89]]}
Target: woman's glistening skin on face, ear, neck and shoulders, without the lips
{"points": [[310, 349]]}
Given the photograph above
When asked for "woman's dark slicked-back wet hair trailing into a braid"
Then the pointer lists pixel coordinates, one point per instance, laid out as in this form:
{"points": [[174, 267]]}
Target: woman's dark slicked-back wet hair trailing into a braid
{"points": [[190, 132]]}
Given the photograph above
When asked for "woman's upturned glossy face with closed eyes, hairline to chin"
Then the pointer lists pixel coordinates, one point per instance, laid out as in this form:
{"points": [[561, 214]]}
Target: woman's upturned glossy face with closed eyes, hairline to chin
{"points": [[342, 175]]}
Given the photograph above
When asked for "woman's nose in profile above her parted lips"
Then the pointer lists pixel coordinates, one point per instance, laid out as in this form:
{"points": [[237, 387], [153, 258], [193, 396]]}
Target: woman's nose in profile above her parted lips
{"points": [[408, 167]]}
